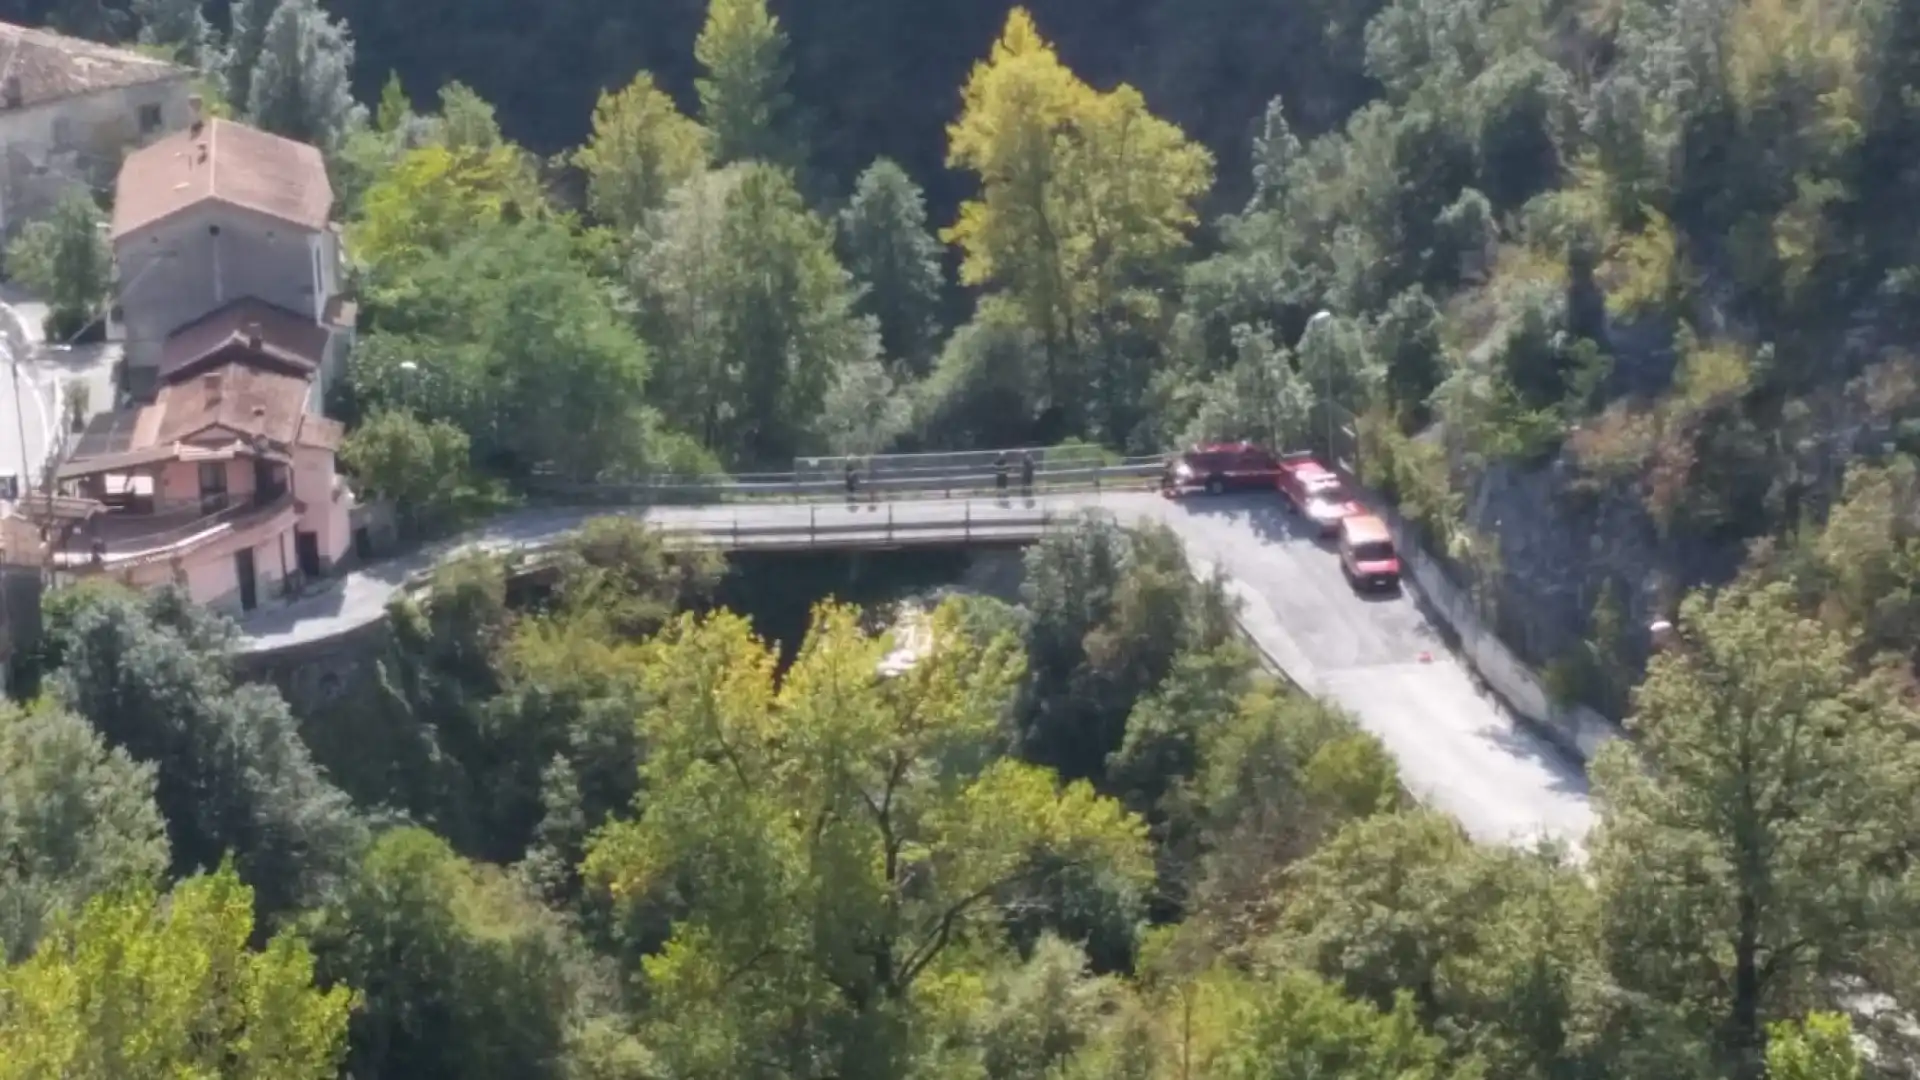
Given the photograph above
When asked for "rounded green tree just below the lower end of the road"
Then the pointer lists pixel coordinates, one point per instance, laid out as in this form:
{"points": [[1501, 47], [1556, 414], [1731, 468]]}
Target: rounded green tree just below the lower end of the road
{"points": [[1493, 946]]}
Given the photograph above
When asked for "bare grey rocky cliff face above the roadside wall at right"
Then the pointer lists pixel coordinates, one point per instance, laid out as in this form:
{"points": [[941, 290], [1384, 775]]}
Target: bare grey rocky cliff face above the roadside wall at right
{"points": [[1562, 533]]}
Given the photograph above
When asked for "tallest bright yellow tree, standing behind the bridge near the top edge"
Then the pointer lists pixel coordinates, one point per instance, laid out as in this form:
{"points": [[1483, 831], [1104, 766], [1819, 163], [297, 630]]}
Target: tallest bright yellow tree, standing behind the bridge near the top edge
{"points": [[1086, 205]]}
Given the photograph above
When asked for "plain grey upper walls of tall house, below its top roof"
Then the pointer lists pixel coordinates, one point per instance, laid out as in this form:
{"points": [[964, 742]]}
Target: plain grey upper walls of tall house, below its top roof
{"points": [[199, 262]]}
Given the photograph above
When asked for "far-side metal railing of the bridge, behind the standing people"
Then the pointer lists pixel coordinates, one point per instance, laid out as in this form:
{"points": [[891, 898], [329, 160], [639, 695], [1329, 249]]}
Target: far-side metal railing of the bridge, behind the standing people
{"points": [[967, 481]]}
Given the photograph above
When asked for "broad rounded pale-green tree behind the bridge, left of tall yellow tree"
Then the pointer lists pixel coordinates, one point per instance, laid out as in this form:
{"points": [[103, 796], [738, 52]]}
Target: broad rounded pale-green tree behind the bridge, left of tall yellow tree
{"points": [[750, 314]]}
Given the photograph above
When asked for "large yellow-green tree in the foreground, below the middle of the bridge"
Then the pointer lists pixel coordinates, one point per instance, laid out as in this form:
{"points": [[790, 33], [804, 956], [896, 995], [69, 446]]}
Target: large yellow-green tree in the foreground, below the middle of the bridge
{"points": [[846, 839]]}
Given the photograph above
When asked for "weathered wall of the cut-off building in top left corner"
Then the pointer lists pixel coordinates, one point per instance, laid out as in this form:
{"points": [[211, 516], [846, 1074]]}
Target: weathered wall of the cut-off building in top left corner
{"points": [[82, 141]]}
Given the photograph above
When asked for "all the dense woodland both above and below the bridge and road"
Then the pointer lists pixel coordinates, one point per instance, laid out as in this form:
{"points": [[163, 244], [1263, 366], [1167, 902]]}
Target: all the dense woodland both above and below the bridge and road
{"points": [[1639, 268]]}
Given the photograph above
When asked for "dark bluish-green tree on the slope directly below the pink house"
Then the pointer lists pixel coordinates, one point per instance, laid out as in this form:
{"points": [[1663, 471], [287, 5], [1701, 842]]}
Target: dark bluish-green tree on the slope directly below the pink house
{"points": [[153, 674]]}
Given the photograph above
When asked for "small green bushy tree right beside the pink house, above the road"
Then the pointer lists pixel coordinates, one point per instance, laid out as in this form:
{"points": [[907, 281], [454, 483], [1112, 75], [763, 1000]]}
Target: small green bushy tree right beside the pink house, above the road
{"points": [[423, 468]]}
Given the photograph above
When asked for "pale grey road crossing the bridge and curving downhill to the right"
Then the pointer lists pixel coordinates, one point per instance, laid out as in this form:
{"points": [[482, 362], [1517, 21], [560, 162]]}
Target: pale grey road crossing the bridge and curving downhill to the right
{"points": [[1380, 658]]}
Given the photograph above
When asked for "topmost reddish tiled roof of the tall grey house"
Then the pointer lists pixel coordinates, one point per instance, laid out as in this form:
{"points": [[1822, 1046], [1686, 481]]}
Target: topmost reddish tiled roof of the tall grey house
{"points": [[226, 162]]}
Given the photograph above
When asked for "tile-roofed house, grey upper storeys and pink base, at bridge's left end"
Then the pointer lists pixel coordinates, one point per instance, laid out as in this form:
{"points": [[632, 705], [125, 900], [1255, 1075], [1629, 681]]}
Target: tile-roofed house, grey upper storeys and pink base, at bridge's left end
{"points": [[229, 297]]}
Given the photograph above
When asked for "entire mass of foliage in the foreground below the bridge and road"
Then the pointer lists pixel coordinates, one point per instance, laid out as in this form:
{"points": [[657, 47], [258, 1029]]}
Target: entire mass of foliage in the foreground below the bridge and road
{"points": [[600, 829]]}
